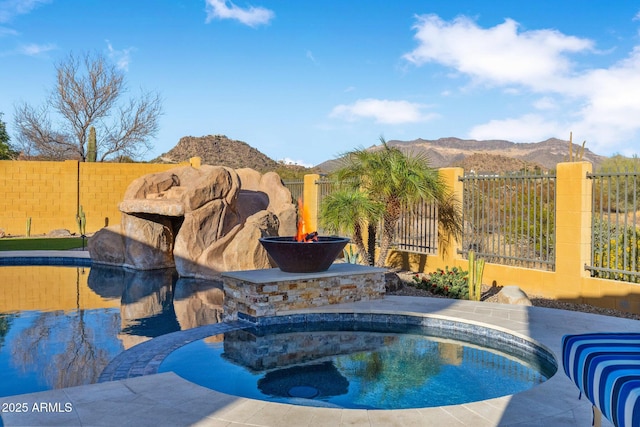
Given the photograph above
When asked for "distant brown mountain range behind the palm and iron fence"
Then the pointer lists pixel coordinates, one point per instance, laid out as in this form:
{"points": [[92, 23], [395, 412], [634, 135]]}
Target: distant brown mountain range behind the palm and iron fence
{"points": [[489, 155]]}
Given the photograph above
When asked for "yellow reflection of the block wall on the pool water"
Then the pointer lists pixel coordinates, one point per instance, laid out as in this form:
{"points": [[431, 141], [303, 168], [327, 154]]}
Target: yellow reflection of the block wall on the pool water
{"points": [[48, 288]]}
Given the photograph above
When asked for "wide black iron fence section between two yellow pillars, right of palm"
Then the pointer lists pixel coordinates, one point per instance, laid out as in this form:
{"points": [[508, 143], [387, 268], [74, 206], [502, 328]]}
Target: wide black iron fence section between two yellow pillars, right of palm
{"points": [[510, 219]]}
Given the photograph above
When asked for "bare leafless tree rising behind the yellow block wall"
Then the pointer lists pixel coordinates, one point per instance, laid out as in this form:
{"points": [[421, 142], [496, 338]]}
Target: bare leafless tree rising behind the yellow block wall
{"points": [[89, 92]]}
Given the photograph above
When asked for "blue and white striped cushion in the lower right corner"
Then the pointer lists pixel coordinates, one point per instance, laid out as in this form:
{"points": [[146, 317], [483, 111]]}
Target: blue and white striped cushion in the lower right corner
{"points": [[606, 368]]}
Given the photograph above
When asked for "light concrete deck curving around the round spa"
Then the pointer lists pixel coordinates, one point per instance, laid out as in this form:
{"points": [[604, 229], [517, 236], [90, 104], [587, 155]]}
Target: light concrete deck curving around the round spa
{"points": [[168, 400]]}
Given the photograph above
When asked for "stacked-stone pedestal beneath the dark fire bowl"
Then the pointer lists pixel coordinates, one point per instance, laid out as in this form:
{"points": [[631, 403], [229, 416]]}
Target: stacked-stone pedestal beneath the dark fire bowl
{"points": [[257, 293]]}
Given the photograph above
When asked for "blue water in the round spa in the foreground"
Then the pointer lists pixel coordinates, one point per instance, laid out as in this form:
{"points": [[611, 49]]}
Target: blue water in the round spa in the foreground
{"points": [[347, 367]]}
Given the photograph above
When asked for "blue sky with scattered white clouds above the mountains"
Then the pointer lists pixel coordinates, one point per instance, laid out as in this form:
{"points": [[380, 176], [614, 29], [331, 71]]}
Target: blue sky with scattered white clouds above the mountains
{"points": [[305, 81]]}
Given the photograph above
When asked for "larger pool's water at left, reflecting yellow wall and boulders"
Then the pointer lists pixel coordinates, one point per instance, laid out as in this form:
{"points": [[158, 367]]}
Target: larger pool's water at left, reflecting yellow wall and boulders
{"points": [[60, 326]]}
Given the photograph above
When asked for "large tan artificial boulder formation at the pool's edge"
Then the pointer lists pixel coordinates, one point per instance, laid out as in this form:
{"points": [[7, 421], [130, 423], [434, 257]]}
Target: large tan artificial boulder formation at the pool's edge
{"points": [[202, 221]]}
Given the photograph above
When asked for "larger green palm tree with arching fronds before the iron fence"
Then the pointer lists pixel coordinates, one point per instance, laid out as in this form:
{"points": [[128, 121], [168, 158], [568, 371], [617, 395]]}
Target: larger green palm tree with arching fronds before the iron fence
{"points": [[393, 179]]}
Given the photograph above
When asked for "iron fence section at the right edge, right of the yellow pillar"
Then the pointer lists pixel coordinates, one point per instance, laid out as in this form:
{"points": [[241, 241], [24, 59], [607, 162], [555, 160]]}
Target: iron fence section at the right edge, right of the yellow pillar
{"points": [[615, 229]]}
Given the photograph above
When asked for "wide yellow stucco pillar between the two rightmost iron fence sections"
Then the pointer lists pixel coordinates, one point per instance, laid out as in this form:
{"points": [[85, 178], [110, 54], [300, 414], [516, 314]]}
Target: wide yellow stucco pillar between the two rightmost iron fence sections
{"points": [[573, 223]]}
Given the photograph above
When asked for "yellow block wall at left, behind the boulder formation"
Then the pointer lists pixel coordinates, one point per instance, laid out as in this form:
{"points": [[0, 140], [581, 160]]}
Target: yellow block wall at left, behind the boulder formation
{"points": [[50, 193]]}
